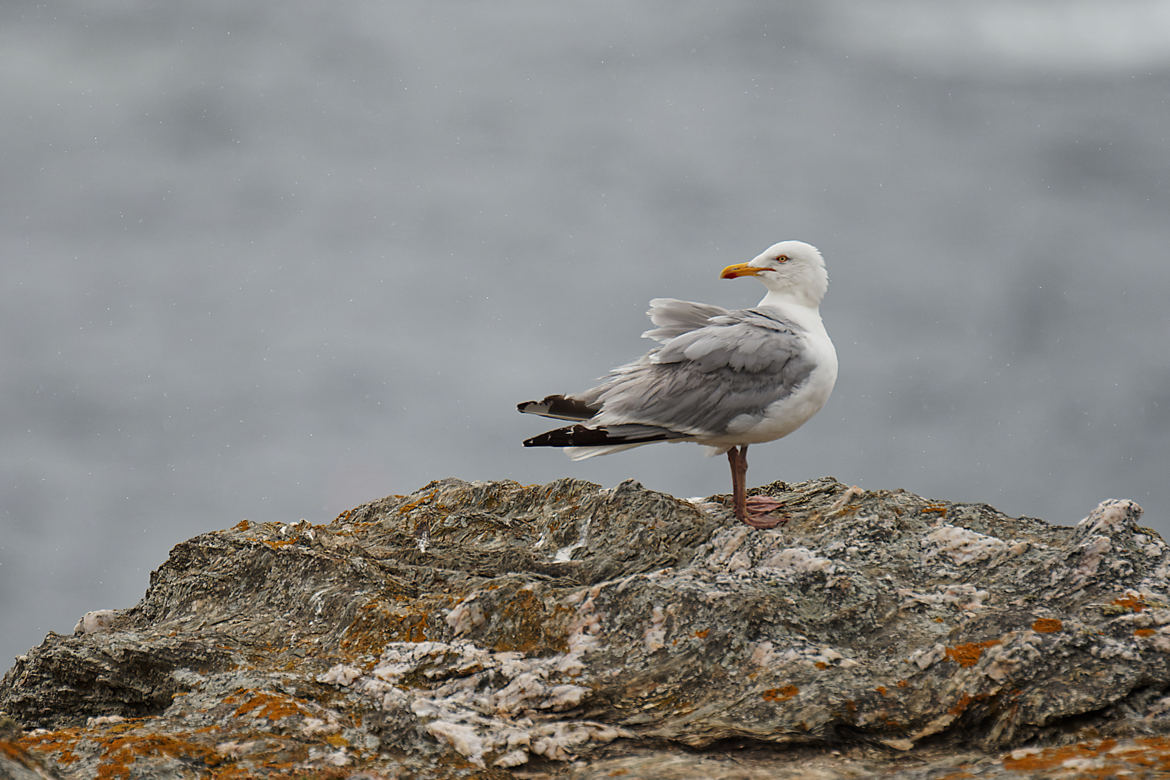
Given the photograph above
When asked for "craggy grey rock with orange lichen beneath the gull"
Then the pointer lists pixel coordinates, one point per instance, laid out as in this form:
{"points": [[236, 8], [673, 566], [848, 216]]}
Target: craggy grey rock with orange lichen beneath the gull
{"points": [[567, 631]]}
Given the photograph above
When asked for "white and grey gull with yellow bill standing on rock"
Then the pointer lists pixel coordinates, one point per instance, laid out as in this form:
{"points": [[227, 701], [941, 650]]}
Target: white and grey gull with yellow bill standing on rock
{"points": [[720, 378]]}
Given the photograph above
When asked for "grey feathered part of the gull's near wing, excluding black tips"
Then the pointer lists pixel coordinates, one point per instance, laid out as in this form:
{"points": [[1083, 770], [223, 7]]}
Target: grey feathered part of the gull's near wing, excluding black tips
{"points": [[700, 382]]}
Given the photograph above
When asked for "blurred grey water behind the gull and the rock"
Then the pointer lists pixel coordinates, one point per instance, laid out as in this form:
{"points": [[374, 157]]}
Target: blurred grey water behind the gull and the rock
{"points": [[271, 261]]}
